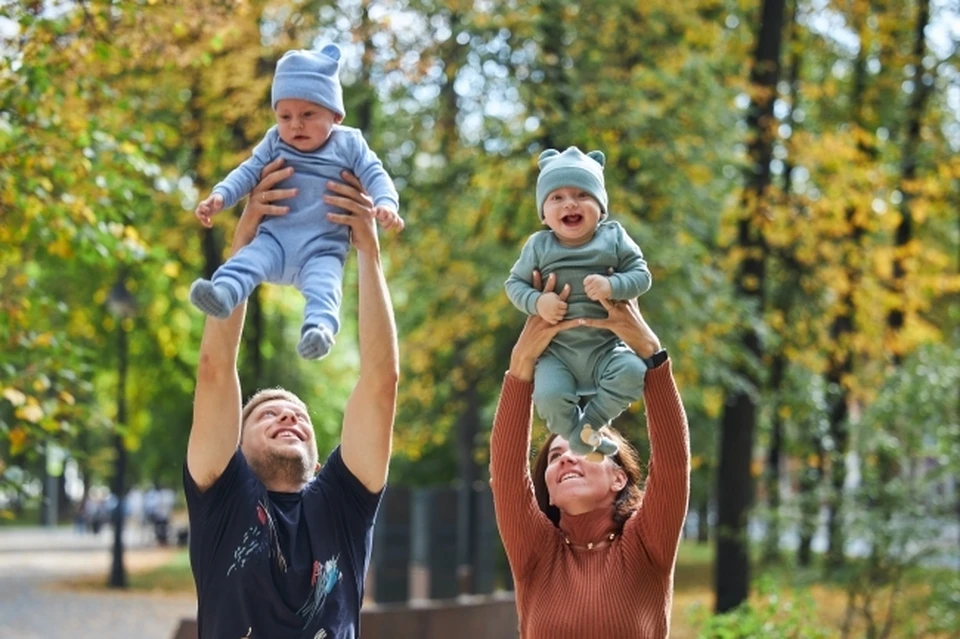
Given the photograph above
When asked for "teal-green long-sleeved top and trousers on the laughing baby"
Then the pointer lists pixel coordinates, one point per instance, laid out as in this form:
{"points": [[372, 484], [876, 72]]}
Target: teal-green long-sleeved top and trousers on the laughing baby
{"points": [[583, 361]]}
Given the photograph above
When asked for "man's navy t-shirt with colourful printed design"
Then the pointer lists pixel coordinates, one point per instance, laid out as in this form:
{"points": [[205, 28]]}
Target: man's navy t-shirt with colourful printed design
{"points": [[280, 565]]}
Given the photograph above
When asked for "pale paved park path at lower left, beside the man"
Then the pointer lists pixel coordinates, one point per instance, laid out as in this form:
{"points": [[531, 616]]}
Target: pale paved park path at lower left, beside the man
{"points": [[35, 603]]}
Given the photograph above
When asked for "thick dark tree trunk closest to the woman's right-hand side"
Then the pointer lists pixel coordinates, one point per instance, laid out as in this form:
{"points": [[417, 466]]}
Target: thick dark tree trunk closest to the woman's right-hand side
{"points": [[735, 484]]}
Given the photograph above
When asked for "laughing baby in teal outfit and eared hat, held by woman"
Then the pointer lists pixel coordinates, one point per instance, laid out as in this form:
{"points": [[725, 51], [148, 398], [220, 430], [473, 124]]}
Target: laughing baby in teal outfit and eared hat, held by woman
{"points": [[598, 260]]}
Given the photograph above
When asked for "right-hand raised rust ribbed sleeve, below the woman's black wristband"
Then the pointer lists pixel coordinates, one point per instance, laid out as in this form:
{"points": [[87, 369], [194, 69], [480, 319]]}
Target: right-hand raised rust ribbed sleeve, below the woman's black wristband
{"points": [[659, 520]]}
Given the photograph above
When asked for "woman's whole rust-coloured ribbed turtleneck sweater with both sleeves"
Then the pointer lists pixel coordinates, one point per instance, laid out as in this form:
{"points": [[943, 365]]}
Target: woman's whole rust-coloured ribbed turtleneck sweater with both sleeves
{"points": [[622, 589]]}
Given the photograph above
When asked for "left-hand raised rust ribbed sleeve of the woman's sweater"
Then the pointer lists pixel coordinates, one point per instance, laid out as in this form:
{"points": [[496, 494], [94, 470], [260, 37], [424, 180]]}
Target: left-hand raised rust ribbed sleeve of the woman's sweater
{"points": [[522, 524]]}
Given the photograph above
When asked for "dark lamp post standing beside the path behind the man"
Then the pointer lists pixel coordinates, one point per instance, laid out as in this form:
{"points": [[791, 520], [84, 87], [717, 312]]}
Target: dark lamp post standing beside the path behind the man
{"points": [[121, 305]]}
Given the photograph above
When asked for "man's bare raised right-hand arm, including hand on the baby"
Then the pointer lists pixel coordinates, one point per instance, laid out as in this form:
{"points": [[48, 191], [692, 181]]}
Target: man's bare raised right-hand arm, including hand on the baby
{"points": [[369, 414]]}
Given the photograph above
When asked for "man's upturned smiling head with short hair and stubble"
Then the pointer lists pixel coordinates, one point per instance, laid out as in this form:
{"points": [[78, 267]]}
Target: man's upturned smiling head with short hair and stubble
{"points": [[278, 443]]}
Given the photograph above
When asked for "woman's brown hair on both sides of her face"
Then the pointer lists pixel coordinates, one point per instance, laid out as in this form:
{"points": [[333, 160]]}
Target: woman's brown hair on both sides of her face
{"points": [[627, 458]]}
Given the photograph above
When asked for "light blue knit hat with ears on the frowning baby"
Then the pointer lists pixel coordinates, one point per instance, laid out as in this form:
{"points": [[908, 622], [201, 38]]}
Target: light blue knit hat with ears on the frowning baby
{"points": [[310, 75]]}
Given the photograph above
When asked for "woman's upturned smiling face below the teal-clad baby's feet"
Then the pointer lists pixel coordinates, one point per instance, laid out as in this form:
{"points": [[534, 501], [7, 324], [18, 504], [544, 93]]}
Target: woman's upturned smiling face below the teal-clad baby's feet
{"points": [[576, 485]]}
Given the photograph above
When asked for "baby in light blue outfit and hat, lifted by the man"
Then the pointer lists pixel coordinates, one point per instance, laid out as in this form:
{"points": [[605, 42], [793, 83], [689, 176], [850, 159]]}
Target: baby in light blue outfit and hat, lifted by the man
{"points": [[303, 247]]}
